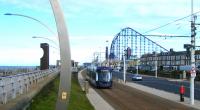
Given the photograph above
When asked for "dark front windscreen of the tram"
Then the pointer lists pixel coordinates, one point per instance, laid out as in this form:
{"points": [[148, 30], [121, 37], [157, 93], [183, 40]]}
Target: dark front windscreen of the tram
{"points": [[104, 75]]}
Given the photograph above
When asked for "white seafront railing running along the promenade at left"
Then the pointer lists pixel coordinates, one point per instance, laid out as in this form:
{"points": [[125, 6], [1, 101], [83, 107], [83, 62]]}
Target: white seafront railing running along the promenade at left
{"points": [[15, 85]]}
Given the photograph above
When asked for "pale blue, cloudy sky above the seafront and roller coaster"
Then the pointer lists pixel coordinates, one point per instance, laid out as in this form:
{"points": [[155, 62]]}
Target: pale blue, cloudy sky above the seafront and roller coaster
{"points": [[90, 24]]}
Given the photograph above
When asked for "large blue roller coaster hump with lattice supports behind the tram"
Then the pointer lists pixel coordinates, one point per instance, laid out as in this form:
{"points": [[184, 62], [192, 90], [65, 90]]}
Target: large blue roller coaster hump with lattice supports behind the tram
{"points": [[138, 43]]}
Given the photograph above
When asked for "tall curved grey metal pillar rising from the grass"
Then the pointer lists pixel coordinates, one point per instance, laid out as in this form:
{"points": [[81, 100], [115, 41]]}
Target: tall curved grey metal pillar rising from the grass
{"points": [[65, 56]]}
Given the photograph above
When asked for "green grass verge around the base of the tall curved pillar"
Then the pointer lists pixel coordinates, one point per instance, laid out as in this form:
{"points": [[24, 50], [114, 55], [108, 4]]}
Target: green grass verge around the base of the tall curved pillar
{"points": [[46, 99]]}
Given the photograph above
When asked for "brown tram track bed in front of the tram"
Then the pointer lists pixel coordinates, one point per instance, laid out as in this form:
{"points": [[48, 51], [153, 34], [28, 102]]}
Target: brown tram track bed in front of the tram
{"points": [[122, 97]]}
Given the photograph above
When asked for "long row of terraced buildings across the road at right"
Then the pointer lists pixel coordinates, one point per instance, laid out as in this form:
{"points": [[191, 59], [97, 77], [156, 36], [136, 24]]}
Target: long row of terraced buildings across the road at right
{"points": [[168, 60]]}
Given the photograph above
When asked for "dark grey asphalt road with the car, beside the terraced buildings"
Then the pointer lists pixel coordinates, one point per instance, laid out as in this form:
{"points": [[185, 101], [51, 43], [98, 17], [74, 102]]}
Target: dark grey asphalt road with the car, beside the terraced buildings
{"points": [[165, 84]]}
